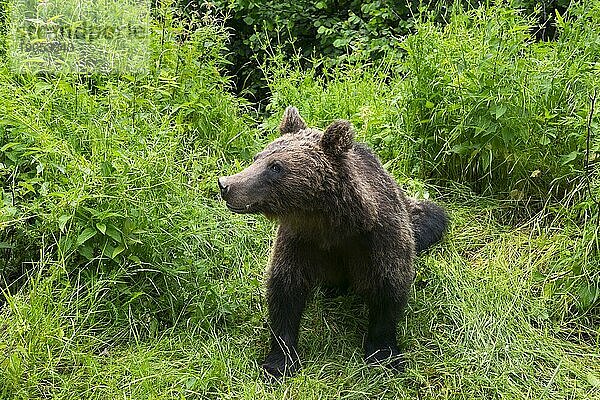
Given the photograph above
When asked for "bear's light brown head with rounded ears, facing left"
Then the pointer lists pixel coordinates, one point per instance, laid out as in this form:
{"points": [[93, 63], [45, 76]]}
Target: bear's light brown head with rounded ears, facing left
{"points": [[299, 174]]}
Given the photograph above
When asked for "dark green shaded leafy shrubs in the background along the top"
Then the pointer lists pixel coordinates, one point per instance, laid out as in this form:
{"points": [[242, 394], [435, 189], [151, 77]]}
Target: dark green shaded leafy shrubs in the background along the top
{"points": [[334, 31]]}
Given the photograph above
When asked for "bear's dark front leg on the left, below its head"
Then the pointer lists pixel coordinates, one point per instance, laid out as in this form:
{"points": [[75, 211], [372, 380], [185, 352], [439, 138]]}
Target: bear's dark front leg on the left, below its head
{"points": [[286, 296]]}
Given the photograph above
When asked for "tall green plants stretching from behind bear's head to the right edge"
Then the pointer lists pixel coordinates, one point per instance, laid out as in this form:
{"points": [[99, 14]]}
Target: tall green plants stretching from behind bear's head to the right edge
{"points": [[475, 101]]}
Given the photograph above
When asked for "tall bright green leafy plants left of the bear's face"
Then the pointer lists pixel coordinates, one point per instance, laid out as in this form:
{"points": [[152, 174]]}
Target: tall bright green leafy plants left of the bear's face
{"points": [[110, 177]]}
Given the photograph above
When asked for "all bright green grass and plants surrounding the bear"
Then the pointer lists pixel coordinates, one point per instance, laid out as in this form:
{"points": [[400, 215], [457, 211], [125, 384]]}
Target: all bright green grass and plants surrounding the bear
{"points": [[122, 274]]}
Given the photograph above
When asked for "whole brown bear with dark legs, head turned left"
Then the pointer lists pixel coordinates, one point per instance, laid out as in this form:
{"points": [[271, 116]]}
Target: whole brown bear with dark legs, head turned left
{"points": [[343, 221]]}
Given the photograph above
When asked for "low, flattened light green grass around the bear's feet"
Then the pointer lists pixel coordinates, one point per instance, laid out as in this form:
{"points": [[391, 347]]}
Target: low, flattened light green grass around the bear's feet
{"points": [[477, 326]]}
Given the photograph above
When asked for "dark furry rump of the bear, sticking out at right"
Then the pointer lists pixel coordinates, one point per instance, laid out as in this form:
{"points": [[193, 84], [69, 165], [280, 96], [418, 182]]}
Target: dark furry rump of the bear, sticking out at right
{"points": [[429, 223]]}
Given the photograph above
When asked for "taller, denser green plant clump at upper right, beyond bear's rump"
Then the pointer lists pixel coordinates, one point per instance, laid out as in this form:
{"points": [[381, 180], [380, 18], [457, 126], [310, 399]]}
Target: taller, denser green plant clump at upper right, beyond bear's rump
{"points": [[493, 108]]}
